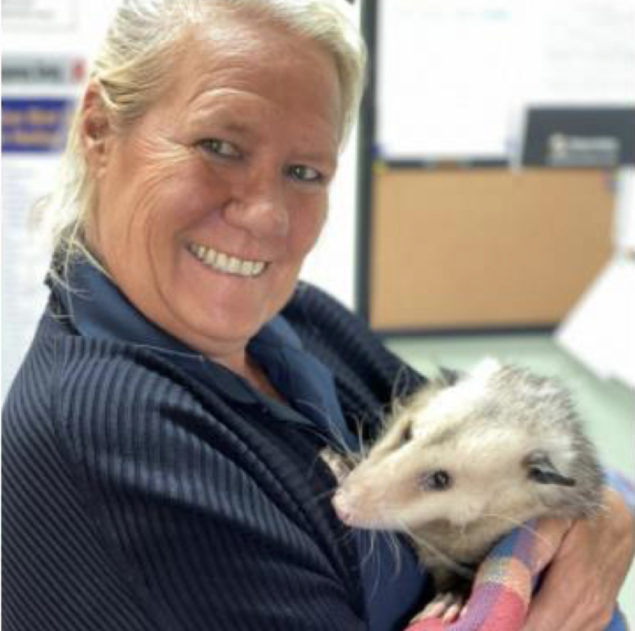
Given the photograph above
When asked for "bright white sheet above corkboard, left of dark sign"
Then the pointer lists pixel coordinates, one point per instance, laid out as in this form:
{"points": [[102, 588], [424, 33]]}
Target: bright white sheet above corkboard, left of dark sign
{"points": [[444, 78]]}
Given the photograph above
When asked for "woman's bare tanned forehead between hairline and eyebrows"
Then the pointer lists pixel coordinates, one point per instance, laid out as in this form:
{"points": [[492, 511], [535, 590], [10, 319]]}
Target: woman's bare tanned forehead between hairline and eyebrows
{"points": [[283, 72]]}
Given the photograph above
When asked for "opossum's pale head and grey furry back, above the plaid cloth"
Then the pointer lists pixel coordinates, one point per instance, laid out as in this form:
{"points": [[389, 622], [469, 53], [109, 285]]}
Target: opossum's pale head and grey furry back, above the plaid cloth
{"points": [[496, 443]]}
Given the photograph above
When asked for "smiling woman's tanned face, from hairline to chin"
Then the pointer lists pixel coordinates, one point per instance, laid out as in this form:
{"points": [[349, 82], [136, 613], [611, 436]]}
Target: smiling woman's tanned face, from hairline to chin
{"points": [[208, 204]]}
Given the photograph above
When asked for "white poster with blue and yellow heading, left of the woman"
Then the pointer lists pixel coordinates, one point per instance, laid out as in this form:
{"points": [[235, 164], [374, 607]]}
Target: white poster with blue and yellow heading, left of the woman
{"points": [[33, 137]]}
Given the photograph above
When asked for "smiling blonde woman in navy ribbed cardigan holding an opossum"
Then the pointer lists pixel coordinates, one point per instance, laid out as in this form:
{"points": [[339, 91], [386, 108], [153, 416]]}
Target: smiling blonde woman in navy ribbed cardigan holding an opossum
{"points": [[161, 440]]}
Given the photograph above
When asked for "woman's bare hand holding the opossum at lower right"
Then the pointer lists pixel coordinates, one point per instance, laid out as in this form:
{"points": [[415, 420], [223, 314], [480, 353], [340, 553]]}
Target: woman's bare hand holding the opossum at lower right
{"points": [[589, 560]]}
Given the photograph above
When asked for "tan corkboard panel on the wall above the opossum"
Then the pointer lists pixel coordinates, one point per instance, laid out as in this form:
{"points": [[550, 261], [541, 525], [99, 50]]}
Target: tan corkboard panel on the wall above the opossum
{"points": [[485, 248]]}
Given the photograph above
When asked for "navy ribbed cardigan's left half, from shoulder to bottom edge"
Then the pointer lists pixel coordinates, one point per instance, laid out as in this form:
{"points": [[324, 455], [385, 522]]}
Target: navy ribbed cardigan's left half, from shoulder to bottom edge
{"points": [[134, 499]]}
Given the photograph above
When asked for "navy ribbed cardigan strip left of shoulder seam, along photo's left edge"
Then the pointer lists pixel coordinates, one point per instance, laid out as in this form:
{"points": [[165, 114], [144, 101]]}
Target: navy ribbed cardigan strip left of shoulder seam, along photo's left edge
{"points": [[56, 574]]}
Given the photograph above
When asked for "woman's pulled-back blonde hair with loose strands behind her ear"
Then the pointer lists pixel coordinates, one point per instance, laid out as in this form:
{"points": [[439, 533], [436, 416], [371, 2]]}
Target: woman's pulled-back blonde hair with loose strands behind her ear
{"points": [[132, 67]]}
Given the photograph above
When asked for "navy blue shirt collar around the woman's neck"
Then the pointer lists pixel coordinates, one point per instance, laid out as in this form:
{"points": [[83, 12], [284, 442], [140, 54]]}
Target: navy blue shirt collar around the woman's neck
{"points": [[98, 309]]}
